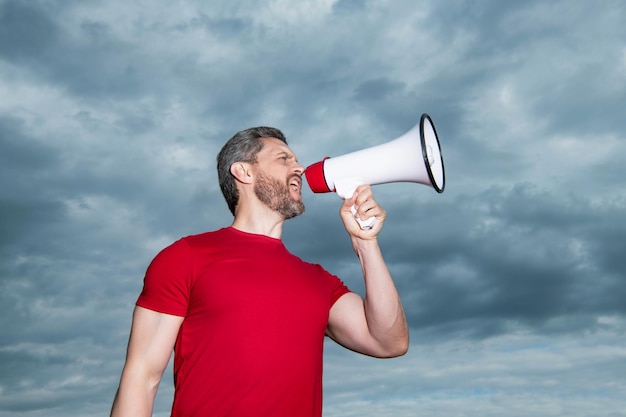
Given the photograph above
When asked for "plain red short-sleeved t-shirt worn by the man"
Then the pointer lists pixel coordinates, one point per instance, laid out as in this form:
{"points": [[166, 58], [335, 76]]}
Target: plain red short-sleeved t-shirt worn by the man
{"points": [[251, 343]]}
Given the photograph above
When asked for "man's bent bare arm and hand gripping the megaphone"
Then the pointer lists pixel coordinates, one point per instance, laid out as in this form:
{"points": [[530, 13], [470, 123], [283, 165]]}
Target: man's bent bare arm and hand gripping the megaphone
{"points": [[376, 325]]}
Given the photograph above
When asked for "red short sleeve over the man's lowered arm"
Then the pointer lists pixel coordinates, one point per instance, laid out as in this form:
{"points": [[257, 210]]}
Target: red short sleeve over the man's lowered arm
{"points": [[167, 282]]}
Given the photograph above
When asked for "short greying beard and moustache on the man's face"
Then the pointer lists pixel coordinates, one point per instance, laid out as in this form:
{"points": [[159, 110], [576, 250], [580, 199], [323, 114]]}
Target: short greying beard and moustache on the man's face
{"points": [[276, 195]]}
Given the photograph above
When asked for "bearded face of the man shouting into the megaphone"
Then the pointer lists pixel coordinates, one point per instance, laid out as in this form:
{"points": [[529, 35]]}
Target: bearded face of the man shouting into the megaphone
{"points": [[279, 179]]}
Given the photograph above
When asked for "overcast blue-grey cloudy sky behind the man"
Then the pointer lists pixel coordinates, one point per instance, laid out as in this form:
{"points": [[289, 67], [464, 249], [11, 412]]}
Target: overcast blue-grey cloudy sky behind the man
{"points": [[513, 279]]}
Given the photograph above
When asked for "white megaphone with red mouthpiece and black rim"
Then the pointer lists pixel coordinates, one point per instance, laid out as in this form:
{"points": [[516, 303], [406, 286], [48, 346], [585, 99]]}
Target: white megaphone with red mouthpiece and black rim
{"points": [[413, 157]]}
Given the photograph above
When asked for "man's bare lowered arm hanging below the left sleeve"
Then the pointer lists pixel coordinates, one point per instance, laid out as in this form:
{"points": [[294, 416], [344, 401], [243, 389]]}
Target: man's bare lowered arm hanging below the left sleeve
{"points": [[152, 339]]}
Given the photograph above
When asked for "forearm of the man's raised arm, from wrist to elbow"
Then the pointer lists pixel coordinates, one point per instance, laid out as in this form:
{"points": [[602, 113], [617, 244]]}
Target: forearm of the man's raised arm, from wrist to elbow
{"points": [[385, 315]]}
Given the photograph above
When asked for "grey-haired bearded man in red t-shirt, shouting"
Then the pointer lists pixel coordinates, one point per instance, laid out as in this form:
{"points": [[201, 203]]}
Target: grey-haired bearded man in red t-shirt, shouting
{"points": [[246, 319]]}
